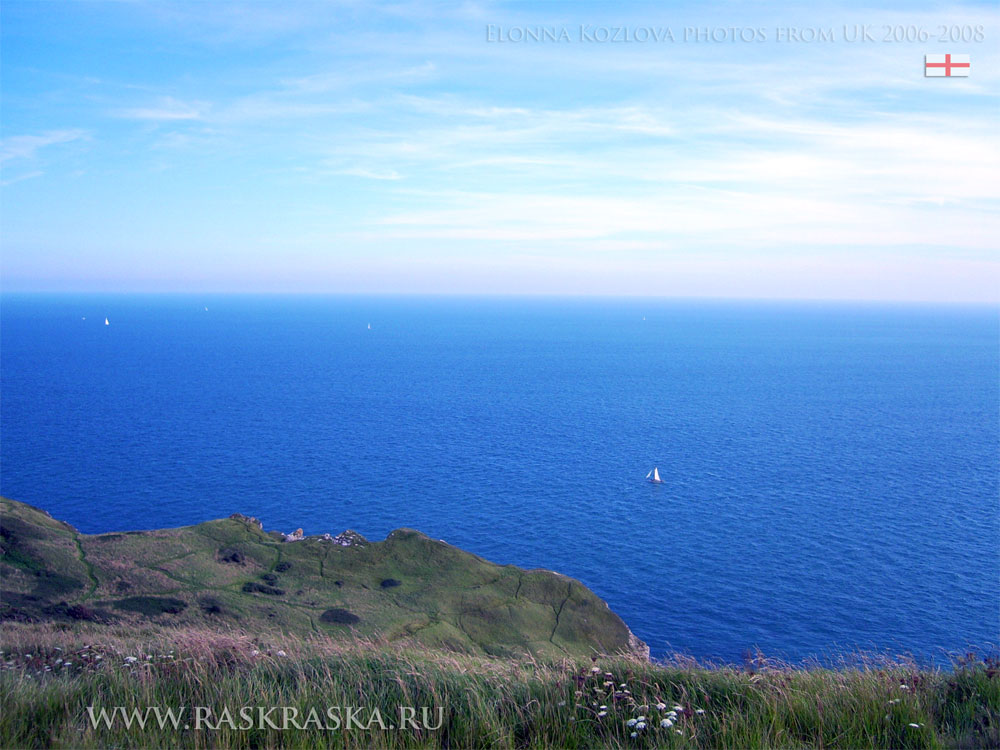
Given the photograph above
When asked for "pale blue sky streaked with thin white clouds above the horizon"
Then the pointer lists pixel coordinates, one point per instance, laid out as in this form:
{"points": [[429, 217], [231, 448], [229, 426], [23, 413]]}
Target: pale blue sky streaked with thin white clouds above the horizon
{"points": [[432, 148]]}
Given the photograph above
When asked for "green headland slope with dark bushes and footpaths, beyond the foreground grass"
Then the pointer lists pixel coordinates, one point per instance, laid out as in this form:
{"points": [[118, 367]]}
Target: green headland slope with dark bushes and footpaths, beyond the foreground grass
{"points": [[230, 573]]}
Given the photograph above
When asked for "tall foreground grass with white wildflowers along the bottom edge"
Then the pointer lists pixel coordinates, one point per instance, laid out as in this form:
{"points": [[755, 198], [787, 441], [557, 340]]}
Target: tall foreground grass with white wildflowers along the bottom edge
{"points": [[504, 703]]}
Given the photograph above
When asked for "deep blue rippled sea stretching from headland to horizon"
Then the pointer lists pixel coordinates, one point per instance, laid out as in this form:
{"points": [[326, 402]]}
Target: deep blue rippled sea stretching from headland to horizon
{"points": [[830, 470]]}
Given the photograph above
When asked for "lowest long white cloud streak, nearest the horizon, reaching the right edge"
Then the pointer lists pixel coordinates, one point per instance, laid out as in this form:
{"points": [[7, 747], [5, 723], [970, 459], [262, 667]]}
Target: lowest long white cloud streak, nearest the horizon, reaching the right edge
{"points": [[696, 218]]}
